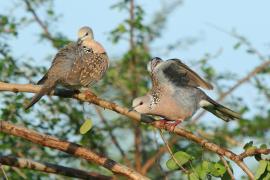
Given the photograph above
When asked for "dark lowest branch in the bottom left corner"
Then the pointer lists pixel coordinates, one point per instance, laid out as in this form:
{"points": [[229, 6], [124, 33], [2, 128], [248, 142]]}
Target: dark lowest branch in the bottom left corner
{"points": [[50, 168]]}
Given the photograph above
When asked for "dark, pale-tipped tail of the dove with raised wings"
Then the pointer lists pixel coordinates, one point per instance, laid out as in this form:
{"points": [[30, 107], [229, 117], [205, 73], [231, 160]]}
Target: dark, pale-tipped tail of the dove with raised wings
{"points": [[217, 109]]}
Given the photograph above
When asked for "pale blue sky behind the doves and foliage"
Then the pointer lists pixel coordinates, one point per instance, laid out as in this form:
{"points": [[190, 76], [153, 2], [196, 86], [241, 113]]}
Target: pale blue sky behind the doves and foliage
{"points": [[192, 19]]}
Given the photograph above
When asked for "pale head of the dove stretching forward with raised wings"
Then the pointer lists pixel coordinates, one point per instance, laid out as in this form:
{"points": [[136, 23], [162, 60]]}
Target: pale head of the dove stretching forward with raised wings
{"points": [[141, 104]]}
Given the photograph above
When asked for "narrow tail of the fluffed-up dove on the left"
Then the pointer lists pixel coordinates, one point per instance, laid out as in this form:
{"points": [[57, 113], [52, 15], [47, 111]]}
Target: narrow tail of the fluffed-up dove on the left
{"points": [[46, 88]]}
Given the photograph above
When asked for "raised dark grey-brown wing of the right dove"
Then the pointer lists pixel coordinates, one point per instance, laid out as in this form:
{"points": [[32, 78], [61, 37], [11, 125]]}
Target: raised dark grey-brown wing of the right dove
{"points": [[181, 75]]}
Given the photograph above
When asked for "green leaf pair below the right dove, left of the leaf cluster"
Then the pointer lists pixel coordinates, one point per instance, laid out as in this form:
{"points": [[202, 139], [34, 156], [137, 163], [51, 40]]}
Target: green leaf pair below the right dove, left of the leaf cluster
{"points": [[181, 157]]}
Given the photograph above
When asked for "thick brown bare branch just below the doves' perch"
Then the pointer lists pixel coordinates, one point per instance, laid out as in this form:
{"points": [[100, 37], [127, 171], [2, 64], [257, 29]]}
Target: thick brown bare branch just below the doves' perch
{"points": [[70, 148]]}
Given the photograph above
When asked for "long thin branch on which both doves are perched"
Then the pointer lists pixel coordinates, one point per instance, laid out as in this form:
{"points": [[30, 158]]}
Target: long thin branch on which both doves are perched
{"points": [[91, 98]]}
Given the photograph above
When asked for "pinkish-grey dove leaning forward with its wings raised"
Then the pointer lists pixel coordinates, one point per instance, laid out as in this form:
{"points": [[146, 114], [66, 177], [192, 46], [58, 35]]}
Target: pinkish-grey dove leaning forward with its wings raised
{"points": [[176, 95]]}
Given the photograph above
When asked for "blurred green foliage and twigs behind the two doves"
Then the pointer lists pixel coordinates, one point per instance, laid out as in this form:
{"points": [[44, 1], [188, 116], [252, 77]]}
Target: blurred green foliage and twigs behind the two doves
{"points": [[130, 143]]}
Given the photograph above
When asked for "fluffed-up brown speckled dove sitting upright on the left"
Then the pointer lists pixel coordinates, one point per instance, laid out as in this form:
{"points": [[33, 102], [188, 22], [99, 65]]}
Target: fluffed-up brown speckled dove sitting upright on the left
{"points": [[77, 65]]}
